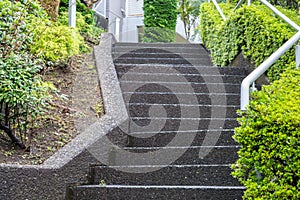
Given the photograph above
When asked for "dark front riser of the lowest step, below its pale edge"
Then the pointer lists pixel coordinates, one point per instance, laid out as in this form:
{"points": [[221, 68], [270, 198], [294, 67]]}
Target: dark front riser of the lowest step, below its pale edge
{"points": [[102, 193]]}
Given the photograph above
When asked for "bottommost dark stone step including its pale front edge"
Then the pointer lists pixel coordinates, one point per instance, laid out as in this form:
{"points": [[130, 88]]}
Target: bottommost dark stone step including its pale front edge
{"points": [[122, 192]]}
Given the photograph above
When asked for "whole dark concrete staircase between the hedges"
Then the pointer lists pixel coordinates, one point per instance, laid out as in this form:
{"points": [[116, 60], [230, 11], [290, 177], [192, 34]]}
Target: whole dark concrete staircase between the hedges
{"points": [[178, 140]]}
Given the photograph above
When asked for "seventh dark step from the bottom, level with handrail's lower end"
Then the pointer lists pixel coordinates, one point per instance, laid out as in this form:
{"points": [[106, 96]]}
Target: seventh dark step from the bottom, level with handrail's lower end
{"points": [[183, 98]]}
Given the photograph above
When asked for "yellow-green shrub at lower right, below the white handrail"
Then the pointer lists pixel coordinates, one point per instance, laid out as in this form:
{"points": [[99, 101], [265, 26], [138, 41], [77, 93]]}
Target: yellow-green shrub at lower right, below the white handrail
{"points": [[269, 163]]}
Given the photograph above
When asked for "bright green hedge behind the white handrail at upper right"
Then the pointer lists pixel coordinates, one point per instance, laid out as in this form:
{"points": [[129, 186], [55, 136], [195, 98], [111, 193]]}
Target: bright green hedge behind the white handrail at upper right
{"points": [[252, 30]]}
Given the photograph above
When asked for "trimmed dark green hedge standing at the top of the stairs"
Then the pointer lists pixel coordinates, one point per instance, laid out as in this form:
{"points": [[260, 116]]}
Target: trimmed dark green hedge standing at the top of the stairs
{"points": [[160, 20]]}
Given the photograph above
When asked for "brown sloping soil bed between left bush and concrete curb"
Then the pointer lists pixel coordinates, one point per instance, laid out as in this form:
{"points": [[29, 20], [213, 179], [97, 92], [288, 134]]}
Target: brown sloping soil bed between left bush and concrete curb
{"points": [[76, 104]]}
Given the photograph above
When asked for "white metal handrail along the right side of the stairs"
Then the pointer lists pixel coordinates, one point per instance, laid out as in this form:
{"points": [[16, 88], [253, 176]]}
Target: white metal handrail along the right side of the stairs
{"points": [[260, 70]]}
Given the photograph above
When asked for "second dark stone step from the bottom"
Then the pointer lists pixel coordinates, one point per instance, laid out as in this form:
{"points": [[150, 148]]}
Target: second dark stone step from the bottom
{"points": [[164, 175]]}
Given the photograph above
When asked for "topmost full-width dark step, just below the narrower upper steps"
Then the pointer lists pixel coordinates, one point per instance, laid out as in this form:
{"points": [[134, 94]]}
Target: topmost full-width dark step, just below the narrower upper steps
{"points": [[180, 69]]}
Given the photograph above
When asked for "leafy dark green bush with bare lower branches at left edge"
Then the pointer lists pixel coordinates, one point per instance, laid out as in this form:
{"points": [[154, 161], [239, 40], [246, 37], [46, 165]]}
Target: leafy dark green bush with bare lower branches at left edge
{"points": [[22, 93]]}
